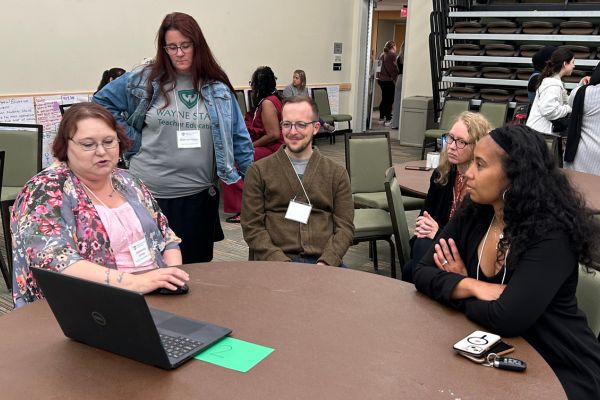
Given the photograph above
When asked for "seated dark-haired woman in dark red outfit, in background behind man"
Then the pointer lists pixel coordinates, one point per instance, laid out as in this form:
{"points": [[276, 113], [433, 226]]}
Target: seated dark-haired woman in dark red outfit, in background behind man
{"points": [[262, 121]]}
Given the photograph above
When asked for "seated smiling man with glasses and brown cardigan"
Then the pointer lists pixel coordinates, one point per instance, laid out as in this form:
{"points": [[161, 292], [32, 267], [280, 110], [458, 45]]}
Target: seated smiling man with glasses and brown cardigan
{"points": [[297, 177]]}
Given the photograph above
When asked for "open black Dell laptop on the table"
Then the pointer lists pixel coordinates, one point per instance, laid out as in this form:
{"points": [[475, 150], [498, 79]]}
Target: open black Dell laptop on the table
{"points": [[120, 321]]}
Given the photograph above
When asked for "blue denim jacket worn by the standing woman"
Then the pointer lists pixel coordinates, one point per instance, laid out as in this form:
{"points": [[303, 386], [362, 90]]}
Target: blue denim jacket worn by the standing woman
{"points": [[129, 101]]}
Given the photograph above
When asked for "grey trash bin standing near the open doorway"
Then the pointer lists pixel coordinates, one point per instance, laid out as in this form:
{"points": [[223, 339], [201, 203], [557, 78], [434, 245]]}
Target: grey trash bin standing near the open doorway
{"points": [[417, 117]]}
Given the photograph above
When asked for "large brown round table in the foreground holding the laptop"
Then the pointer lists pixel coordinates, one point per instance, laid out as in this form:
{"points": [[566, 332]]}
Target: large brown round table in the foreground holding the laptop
{"points": [[337, 334]]}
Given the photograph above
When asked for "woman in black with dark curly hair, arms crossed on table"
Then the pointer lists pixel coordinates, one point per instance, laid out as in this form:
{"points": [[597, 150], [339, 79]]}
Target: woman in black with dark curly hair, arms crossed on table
{"points": [[509, 259]]}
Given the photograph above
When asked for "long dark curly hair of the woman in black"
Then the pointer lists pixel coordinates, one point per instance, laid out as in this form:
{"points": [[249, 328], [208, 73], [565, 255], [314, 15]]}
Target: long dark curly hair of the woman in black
{"points": [[539, 199]]}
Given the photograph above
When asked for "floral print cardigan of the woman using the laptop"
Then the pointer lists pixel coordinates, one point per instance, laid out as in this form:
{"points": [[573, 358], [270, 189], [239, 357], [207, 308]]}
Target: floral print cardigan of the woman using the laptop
{"points": [[54, 224]]}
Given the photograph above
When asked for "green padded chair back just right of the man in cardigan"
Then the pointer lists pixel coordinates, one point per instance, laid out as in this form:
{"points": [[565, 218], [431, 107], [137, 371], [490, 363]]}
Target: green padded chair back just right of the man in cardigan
{"points": [[368, 156]]}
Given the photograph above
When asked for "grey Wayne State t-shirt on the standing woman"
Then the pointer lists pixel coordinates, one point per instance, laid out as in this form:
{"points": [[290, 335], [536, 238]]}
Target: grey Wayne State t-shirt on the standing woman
{"points": [[167, 170]]}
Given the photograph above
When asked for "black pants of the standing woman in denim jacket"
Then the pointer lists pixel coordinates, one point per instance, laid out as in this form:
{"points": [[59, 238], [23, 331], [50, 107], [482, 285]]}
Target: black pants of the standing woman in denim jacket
{"points": [[195, 219]]}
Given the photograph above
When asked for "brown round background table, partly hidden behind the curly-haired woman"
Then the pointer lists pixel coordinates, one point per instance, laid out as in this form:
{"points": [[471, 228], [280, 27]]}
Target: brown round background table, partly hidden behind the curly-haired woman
{"points": [[416, 183]]}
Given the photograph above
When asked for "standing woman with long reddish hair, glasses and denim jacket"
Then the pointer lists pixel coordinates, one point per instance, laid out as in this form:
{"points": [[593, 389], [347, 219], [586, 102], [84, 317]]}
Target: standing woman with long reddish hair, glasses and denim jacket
{"points": [[185, 124]]}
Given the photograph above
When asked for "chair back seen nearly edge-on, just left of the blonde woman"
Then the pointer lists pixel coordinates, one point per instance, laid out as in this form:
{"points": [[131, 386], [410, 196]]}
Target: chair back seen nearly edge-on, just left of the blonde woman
{"points": [[398, 215]]}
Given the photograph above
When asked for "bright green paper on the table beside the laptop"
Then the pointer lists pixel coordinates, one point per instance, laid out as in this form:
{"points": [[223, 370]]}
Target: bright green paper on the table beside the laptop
{"points": [[234, 354]]}
